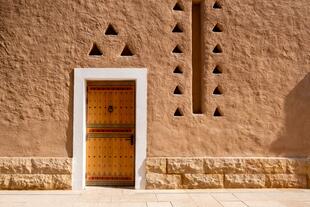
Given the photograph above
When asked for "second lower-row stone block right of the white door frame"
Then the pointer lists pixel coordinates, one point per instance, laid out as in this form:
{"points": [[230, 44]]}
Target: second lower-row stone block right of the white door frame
{"points": [[203, 181]]}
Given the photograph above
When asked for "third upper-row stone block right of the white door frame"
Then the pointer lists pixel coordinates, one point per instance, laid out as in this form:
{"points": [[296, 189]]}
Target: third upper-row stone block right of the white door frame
{"points": [[224, 165]]}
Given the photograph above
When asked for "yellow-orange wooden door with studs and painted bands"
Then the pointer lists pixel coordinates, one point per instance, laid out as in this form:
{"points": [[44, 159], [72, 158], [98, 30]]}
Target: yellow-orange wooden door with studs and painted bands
{"points": [[110, 145]]}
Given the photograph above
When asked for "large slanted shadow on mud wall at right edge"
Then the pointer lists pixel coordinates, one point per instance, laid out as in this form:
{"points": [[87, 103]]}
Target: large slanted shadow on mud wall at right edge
{"points": [[294, 140]]}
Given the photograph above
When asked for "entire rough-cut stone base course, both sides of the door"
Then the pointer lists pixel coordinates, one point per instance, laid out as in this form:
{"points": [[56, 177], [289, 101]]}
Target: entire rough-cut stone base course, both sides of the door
{"points": [[22, 173]]}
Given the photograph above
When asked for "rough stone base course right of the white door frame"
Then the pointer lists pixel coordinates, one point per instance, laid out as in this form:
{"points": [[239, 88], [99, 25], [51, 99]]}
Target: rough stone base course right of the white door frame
{"points": [[172, 173]]}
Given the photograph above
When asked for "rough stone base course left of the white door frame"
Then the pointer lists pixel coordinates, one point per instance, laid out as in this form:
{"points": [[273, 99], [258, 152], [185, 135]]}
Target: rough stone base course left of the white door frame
{"points": [[24, 173]]}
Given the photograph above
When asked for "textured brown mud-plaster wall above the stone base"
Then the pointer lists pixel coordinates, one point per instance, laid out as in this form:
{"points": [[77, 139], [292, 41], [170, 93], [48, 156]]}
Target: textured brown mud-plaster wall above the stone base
{"points": [[265, 80]]}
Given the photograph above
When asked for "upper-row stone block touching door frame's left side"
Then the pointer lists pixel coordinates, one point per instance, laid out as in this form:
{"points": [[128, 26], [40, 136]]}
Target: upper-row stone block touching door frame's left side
{"points": [[57, 165]]}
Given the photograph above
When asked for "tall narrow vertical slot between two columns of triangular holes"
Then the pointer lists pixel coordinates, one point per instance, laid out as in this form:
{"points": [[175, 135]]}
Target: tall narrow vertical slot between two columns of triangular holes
{"points": [[196, 58]]}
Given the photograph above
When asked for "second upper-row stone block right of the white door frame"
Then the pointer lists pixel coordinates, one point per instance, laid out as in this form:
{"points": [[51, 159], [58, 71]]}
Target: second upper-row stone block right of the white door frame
{"points": [[185, 165]]}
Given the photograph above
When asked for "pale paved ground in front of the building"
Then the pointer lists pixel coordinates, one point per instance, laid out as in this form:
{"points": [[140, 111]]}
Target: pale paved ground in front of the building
{"points": [[158, 198]]}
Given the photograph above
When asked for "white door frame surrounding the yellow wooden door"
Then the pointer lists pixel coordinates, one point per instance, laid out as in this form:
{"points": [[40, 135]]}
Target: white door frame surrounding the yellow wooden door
{"points": [[81, 75]]}
